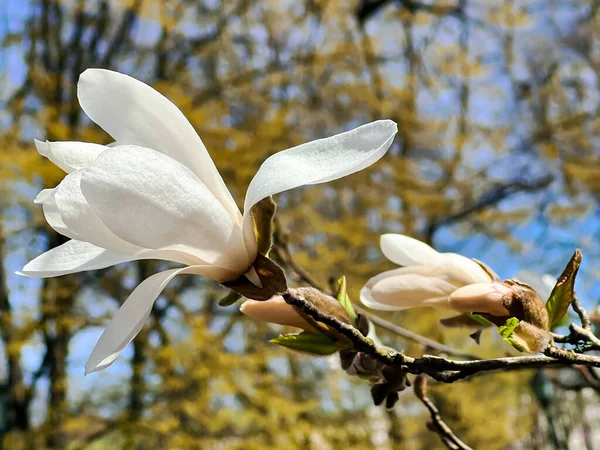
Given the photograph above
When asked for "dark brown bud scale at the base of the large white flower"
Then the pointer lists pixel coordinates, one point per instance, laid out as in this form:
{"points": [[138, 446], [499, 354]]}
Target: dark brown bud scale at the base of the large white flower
{"points": [[271, 276]]}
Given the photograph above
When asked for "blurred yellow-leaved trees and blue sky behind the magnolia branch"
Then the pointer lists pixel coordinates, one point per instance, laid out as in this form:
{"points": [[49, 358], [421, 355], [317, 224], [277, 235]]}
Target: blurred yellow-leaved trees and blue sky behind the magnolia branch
{"points": [[497, 158]]}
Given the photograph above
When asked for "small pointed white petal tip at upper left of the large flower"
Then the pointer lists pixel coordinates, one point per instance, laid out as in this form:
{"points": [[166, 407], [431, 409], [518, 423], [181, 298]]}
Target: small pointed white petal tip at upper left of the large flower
{"points": [[69, 156]]}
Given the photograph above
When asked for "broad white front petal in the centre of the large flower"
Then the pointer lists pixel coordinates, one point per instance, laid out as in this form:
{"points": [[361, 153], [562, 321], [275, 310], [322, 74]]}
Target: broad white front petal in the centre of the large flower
{"points": [[150, 200]]}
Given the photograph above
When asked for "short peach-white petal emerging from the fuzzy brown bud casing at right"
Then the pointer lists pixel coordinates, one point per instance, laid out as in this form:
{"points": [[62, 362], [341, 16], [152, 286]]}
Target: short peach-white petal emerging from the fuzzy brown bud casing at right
{"points": [[481, 298]]}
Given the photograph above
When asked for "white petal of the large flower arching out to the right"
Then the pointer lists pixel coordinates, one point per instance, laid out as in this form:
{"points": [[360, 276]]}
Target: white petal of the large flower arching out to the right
{"points": [[317, 162]]}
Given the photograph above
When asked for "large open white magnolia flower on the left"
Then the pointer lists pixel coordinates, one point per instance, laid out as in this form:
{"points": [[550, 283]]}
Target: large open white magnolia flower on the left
{"points": [[156, 194]]}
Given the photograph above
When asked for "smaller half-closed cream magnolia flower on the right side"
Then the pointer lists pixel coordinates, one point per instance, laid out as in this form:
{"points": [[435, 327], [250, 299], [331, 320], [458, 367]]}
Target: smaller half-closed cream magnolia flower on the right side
{"points": [[428, 277]]}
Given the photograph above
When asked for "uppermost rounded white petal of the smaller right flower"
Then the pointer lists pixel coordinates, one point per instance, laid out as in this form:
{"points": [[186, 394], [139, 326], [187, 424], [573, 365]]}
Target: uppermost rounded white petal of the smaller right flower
{"points": [[406, 251]]}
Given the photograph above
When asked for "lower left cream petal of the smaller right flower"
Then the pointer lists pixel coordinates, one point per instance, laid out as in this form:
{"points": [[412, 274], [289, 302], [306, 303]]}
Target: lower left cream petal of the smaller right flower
{"points": [[398, 290]]}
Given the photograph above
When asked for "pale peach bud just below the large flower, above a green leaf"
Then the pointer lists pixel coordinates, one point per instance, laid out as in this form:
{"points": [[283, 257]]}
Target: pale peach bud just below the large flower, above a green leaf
{"points": [[275, 310]]}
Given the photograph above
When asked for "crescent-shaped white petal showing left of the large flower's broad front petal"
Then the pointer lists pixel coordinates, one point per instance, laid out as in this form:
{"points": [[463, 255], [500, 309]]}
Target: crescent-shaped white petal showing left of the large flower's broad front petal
{"points": [[81, 221]]}
